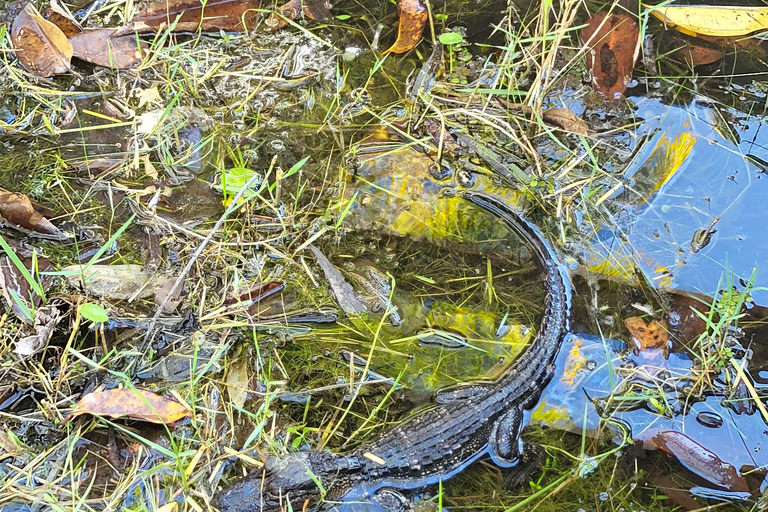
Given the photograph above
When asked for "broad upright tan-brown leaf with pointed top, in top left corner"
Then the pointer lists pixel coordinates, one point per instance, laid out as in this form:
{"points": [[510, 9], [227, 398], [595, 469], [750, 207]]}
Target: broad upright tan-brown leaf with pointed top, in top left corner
{"points": [[41, 46]]}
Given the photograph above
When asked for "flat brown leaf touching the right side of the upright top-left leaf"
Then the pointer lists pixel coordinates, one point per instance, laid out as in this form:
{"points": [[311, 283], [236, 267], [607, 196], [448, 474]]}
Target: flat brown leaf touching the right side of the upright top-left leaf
{"points": [[100, 48]]}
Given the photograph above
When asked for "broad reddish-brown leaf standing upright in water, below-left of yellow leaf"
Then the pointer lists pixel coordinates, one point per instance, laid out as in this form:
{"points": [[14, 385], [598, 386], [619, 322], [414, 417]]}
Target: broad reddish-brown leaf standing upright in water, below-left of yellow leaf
{"points": [[614, 43]]}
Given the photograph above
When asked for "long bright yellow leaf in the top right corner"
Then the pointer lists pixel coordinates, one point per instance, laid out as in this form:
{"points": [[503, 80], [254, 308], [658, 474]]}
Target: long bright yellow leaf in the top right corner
{"points": [[710, 20]]}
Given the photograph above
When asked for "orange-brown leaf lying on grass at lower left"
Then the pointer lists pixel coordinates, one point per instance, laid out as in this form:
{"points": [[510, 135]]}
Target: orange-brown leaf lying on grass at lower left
{"points": [[131, 403]]}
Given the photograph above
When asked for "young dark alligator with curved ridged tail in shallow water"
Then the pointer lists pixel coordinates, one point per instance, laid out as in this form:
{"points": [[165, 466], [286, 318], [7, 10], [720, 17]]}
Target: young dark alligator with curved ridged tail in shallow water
{"points": [[465, 423]]}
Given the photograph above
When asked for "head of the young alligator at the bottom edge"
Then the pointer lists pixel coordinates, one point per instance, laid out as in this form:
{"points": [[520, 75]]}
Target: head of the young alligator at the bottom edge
{"points": [[296, 478]]}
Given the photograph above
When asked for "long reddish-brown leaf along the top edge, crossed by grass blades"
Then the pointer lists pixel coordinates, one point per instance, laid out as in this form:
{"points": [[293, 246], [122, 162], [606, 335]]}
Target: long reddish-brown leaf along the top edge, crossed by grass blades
{"points": [[194, 15]]}
